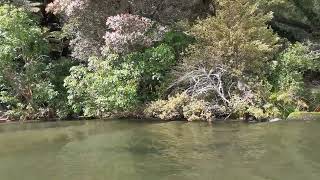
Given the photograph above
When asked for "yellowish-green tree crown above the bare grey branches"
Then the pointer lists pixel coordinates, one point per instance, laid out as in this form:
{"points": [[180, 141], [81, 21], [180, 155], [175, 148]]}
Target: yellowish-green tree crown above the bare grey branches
{"points": [[237, 38]]}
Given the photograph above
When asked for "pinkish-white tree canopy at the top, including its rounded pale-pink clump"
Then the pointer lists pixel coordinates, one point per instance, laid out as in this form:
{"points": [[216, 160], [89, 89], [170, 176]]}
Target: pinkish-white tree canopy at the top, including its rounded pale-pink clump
{"points": [[86, 19]]}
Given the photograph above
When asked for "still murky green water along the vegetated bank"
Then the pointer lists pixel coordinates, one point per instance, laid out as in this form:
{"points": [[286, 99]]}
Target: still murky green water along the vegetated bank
{"points": [[136, 150]]}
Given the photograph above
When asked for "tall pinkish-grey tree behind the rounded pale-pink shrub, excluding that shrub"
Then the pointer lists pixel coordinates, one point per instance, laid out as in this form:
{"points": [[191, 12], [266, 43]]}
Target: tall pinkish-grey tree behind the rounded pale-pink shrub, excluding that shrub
{"points": [[86, 19]]}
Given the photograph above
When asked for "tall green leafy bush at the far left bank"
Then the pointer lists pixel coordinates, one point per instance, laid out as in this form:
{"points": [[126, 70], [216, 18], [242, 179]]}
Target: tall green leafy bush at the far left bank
{"points": [[26, 71]]}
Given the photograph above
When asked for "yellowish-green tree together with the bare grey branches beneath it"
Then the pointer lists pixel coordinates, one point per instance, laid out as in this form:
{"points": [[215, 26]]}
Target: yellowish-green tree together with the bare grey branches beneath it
{"points": [[228, 63]]}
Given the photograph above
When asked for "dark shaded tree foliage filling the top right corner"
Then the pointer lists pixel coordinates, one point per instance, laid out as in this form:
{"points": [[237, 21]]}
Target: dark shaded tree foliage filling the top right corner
{"points": [[297, 20]]}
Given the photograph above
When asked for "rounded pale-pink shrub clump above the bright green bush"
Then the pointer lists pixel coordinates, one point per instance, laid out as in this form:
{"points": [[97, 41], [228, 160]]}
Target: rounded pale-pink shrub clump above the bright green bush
{"points": [[128, 33]]}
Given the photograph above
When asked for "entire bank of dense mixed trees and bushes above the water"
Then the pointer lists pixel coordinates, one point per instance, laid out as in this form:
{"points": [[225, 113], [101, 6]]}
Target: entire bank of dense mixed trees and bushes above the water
{"points": [[248, 59]]}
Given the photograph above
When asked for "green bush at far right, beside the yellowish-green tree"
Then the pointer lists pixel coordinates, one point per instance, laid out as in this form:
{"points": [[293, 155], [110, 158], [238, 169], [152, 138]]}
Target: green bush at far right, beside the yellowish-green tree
{"points": [[287, 77]]}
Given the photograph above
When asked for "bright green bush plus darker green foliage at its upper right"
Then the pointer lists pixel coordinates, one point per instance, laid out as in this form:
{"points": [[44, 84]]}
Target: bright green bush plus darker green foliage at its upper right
{"points": [[118, 82]]}
